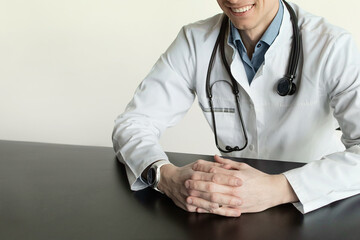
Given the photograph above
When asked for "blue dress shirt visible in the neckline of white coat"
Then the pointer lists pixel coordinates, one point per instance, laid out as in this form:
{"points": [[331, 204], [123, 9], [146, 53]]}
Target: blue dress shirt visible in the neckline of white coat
{"points": [[251, 66]]}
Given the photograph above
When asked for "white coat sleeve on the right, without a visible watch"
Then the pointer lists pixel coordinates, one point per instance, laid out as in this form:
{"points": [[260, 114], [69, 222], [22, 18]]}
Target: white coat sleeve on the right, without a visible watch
{"points": [[335, 176]]}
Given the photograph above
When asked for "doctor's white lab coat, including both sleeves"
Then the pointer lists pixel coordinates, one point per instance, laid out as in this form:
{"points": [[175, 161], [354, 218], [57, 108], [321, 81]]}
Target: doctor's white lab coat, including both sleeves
{"points": [[293, 128]]}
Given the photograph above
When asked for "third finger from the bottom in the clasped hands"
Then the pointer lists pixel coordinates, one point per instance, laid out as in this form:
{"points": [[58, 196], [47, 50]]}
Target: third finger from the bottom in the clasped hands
{"points": [[209, 187]]}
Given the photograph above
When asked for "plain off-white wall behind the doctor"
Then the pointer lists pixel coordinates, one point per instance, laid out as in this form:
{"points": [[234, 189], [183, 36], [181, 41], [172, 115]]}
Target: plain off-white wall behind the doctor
{"points": [[69, 67]]}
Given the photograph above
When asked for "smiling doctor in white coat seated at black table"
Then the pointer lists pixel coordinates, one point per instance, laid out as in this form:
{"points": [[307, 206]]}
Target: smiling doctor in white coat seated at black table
{"points": [[253, 111]]}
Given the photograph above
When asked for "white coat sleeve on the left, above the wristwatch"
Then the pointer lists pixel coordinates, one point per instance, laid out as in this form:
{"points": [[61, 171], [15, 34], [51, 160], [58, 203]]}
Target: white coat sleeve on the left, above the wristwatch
{"points": [[159, 102]]}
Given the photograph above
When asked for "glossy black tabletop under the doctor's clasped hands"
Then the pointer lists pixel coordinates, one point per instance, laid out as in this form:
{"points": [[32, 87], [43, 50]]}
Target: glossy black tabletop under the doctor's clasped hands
{"points": [[50, 191]]}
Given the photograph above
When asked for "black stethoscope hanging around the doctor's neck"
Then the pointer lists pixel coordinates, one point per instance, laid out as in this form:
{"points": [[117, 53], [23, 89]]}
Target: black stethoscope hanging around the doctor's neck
{"points": [[285, 85]]}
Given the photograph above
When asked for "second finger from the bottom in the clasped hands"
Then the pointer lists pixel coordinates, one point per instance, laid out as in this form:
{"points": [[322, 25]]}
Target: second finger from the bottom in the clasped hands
{"points": [[221, 199]]}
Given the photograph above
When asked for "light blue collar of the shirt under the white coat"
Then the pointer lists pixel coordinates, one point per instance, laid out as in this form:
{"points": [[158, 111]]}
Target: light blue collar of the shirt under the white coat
{"points": [[268, 37]]}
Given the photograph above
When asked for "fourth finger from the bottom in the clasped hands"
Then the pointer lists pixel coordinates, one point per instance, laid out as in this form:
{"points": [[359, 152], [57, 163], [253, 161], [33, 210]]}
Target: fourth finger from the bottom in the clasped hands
{"points": [[219, 178]]}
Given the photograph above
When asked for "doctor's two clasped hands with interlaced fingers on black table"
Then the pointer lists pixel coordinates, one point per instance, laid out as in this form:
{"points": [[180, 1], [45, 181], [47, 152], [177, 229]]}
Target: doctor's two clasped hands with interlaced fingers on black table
{"points": [[223, 187]]}
